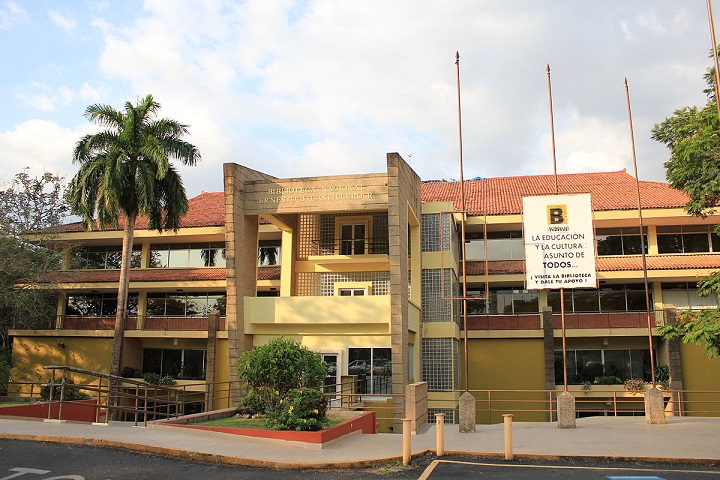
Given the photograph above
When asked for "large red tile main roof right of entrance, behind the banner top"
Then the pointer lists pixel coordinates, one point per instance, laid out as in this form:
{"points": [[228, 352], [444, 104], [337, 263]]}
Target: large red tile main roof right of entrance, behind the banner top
{"points": [[503, 195]]}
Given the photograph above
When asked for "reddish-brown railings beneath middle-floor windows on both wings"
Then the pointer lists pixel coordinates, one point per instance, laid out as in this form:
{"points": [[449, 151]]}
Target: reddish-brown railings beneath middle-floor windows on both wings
{"points": [[517, 321]]}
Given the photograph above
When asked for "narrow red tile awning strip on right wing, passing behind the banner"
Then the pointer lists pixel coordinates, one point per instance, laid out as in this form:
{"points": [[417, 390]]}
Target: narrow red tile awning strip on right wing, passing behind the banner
{"points": [[609, 264]]}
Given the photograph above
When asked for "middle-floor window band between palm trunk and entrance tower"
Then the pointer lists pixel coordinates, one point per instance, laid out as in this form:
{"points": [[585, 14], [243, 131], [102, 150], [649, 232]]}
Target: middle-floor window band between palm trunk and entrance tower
{"points": [[184, 304]]}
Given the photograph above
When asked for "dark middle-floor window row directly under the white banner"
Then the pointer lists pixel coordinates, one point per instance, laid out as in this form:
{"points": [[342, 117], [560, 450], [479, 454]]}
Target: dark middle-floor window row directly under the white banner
{"points": [[608, 298]]}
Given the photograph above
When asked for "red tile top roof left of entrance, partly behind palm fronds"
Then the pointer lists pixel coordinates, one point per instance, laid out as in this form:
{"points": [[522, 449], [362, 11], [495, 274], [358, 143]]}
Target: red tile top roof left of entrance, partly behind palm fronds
{"points": [[205, 210]]}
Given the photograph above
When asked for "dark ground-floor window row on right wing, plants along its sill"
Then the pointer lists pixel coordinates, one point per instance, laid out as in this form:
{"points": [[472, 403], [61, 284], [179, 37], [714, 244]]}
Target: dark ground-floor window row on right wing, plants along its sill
{"points": [[587, 365]]}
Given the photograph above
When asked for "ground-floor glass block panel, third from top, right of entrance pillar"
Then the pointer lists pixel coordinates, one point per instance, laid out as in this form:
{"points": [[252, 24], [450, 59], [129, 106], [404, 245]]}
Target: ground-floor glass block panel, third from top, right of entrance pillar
{"points": [[441, 363]]}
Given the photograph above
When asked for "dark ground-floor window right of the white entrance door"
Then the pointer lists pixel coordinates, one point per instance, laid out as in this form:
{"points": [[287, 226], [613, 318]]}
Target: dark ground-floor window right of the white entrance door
{"points": [[374, 366]]}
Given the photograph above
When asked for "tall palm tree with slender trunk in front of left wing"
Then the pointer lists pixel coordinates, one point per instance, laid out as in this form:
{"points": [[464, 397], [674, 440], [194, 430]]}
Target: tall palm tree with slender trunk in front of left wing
{"points": [[125, 172]]}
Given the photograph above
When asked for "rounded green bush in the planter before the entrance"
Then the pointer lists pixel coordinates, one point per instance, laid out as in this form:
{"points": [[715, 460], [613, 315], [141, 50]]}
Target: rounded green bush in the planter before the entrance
{"points": [[275, 369]]}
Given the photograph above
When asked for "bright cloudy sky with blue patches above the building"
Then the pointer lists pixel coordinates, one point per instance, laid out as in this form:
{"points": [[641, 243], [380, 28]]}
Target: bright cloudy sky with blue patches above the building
{"points": [[318, 87]]}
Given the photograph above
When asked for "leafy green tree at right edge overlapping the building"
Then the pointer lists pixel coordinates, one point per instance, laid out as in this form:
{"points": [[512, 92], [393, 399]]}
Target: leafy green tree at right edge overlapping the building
{"points": [[693, 136]]}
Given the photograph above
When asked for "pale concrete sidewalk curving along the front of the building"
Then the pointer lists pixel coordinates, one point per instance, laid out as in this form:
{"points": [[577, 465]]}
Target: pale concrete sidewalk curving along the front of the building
{"points": [[681, 439]]}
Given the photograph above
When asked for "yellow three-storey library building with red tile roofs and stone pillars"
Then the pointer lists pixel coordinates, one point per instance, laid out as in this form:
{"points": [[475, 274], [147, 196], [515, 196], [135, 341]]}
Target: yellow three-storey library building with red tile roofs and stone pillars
{"points": [[367, 270]]}
